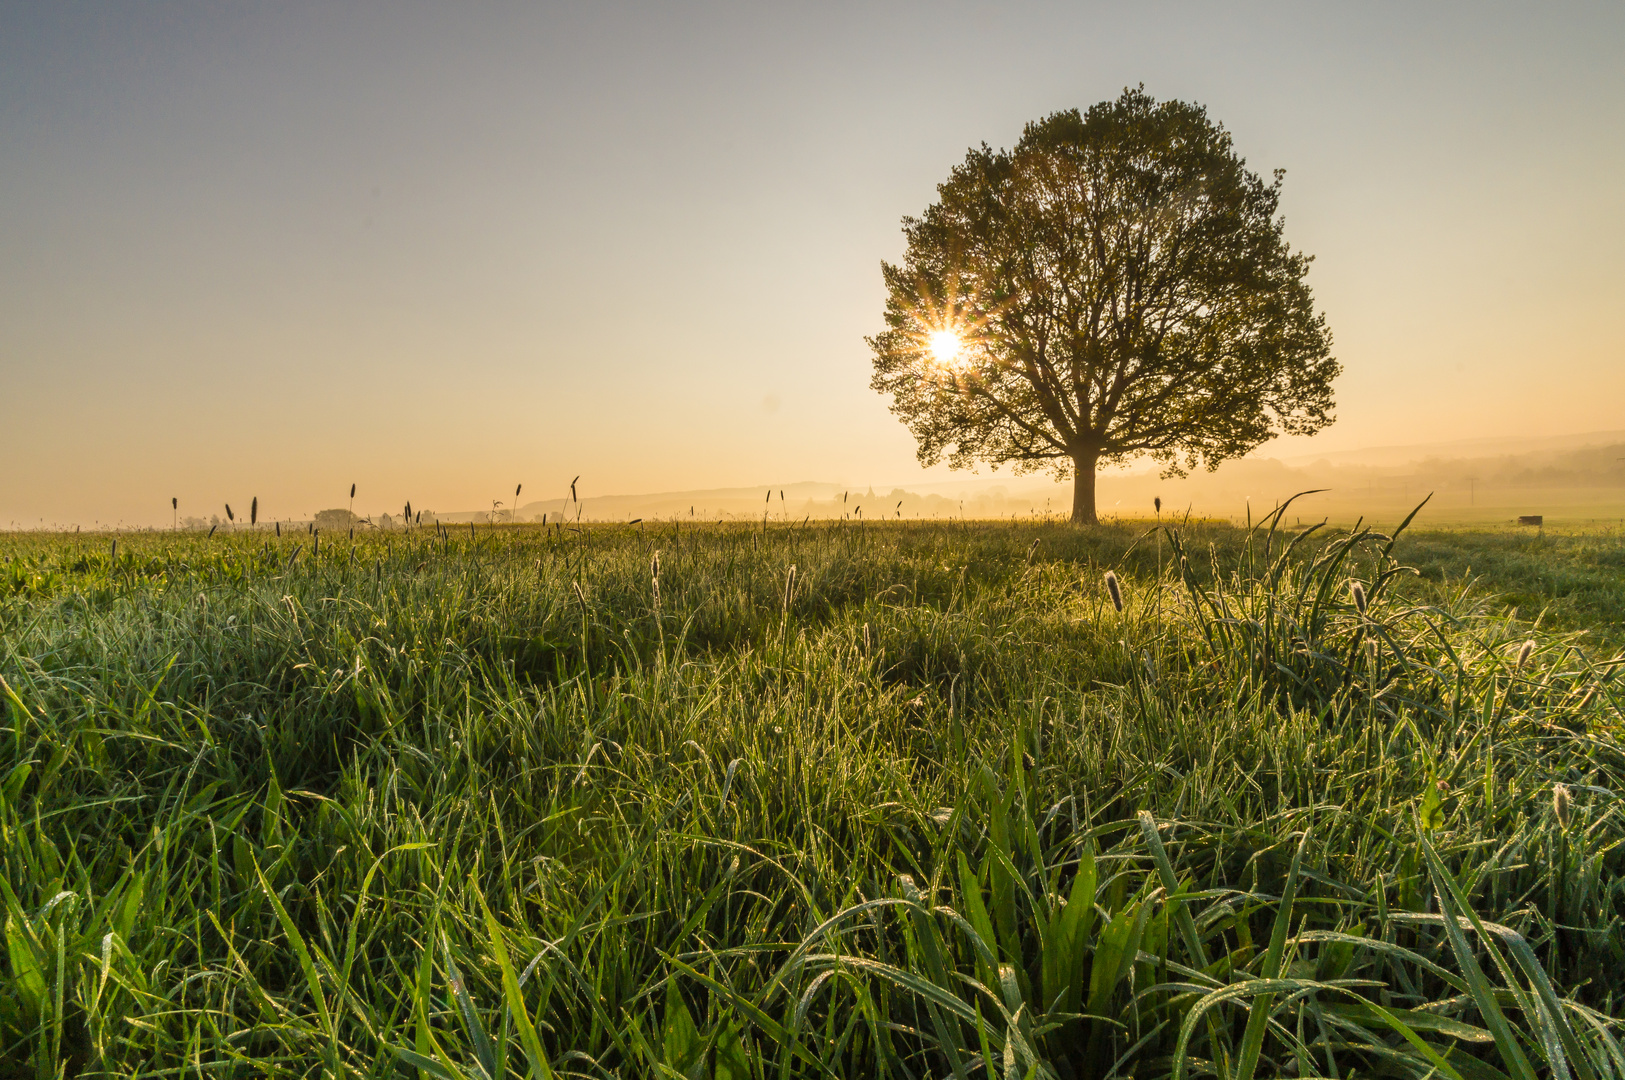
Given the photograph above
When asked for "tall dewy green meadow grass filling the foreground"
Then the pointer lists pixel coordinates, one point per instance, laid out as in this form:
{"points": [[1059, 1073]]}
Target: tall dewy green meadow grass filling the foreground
{"points": [[904, 801]]}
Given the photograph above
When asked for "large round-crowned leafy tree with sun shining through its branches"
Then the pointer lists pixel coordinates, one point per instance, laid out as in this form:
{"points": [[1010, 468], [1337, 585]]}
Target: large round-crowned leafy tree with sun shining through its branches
{"points": [[1116, 287]]}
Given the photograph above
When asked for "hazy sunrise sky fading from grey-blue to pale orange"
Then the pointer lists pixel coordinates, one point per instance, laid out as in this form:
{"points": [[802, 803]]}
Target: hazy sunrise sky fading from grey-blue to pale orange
{"points": [[438, 251]]}
